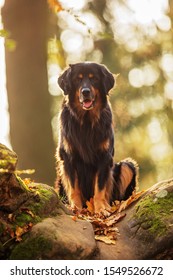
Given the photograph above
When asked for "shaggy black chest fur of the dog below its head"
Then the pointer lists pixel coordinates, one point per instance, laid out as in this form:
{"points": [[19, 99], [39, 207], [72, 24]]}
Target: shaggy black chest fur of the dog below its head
{"points": [[85, 140]]}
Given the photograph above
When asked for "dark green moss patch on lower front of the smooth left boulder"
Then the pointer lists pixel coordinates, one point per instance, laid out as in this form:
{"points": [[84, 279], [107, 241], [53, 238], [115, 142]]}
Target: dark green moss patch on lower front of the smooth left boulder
{"points": [[31, 249]]}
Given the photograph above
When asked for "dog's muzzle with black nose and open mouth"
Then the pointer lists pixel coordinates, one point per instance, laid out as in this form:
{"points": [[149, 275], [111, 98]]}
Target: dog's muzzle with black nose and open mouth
{"points": [[86, 98]]}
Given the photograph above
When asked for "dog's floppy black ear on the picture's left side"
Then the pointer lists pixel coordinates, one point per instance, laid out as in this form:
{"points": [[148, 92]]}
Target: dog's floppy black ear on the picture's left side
{"points": [[64, 81]]}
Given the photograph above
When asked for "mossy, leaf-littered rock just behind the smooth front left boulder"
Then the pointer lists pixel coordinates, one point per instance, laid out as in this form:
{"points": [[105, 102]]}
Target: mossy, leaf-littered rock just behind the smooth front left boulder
{"points": [[42, 201]]}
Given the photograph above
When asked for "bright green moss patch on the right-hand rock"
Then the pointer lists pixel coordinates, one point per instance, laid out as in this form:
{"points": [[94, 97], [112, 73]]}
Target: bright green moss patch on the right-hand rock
{"points": [[153, 213]]}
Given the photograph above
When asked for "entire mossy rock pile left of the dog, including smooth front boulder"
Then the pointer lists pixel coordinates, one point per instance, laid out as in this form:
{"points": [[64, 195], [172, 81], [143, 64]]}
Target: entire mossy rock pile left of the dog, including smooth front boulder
{"points": [[34, 224]]}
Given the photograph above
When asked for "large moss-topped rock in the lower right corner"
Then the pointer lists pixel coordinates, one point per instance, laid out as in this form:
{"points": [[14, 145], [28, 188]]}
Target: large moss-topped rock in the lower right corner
{"points": [[146, 232]]}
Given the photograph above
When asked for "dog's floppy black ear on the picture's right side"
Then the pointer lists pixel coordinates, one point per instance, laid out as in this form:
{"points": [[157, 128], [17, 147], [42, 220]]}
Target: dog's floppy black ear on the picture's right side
{"points": [[108, 79]]}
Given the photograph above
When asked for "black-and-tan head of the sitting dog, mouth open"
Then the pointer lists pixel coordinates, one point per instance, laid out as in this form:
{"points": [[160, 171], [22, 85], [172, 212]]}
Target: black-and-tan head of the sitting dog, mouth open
{"points": [[86, 83]]}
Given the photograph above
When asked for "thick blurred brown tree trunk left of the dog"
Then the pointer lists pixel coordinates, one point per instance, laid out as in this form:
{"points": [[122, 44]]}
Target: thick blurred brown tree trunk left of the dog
{"points": [[27, 86]]}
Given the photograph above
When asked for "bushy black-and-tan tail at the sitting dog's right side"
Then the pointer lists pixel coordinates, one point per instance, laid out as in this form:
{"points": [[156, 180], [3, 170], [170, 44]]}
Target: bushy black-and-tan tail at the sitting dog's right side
{"points": [[125, 174]]}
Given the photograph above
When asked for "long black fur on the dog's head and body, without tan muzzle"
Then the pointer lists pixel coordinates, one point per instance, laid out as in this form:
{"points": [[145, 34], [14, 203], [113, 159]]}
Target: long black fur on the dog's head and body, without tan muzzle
{"points": [[84, 132]]}
